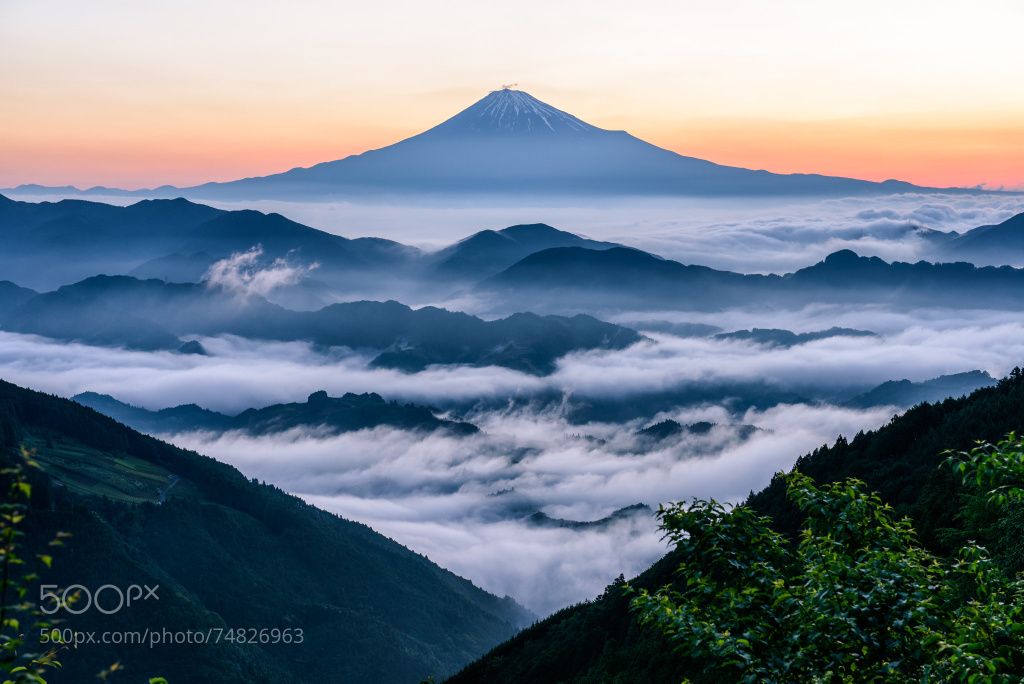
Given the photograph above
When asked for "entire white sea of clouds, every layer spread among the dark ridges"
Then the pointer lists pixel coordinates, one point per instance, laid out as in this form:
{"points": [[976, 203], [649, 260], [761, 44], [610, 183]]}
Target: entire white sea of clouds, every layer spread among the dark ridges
{"points": [[463, 501]]}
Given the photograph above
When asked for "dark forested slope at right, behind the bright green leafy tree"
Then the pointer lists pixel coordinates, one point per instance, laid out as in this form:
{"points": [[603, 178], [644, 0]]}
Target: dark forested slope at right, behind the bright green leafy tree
{"points": [[603, 642]]}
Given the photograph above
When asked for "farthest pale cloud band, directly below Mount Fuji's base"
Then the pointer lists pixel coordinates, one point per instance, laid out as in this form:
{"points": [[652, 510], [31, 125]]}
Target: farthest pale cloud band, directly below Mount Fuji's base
{"points": [[775, 235]]}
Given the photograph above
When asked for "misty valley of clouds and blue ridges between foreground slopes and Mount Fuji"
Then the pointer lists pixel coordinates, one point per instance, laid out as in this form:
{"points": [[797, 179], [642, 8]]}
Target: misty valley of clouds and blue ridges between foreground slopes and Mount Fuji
{"points": [[456, 433]]}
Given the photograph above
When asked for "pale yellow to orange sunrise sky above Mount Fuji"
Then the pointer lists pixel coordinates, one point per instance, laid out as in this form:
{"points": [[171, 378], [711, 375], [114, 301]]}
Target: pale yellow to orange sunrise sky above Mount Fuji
{"points": [[137, 95]]}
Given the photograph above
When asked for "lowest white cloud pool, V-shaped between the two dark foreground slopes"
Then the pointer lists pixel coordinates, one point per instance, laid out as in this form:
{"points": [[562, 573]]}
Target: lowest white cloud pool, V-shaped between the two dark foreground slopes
{"points": [[463, 501]]}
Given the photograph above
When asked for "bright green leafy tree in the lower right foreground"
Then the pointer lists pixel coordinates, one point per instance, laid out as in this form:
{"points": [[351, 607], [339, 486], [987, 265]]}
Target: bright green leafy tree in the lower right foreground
{"points": [[856, 600]]}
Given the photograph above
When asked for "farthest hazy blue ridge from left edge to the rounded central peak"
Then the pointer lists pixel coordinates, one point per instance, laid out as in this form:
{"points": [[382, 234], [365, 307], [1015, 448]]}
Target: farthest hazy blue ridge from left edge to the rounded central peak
{"points": [[49, 244]]}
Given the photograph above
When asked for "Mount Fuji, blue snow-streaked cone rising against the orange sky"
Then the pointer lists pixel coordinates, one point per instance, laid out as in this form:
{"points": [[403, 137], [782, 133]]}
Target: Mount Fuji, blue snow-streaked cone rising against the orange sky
{"points": [[513, 144]]}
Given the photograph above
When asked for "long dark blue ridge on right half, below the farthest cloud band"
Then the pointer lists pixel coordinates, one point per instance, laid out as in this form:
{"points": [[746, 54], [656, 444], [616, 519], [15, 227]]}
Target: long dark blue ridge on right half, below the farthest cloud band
{"points": [[581, 279]]}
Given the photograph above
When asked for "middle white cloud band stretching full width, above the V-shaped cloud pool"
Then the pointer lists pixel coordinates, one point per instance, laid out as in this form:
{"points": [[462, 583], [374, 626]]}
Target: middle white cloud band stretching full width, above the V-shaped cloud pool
{"points": [[240, 374]]}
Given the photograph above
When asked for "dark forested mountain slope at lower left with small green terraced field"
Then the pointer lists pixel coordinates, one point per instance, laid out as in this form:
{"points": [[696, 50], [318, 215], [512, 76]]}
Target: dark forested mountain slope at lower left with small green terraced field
{"points": [[231, 553]]}
